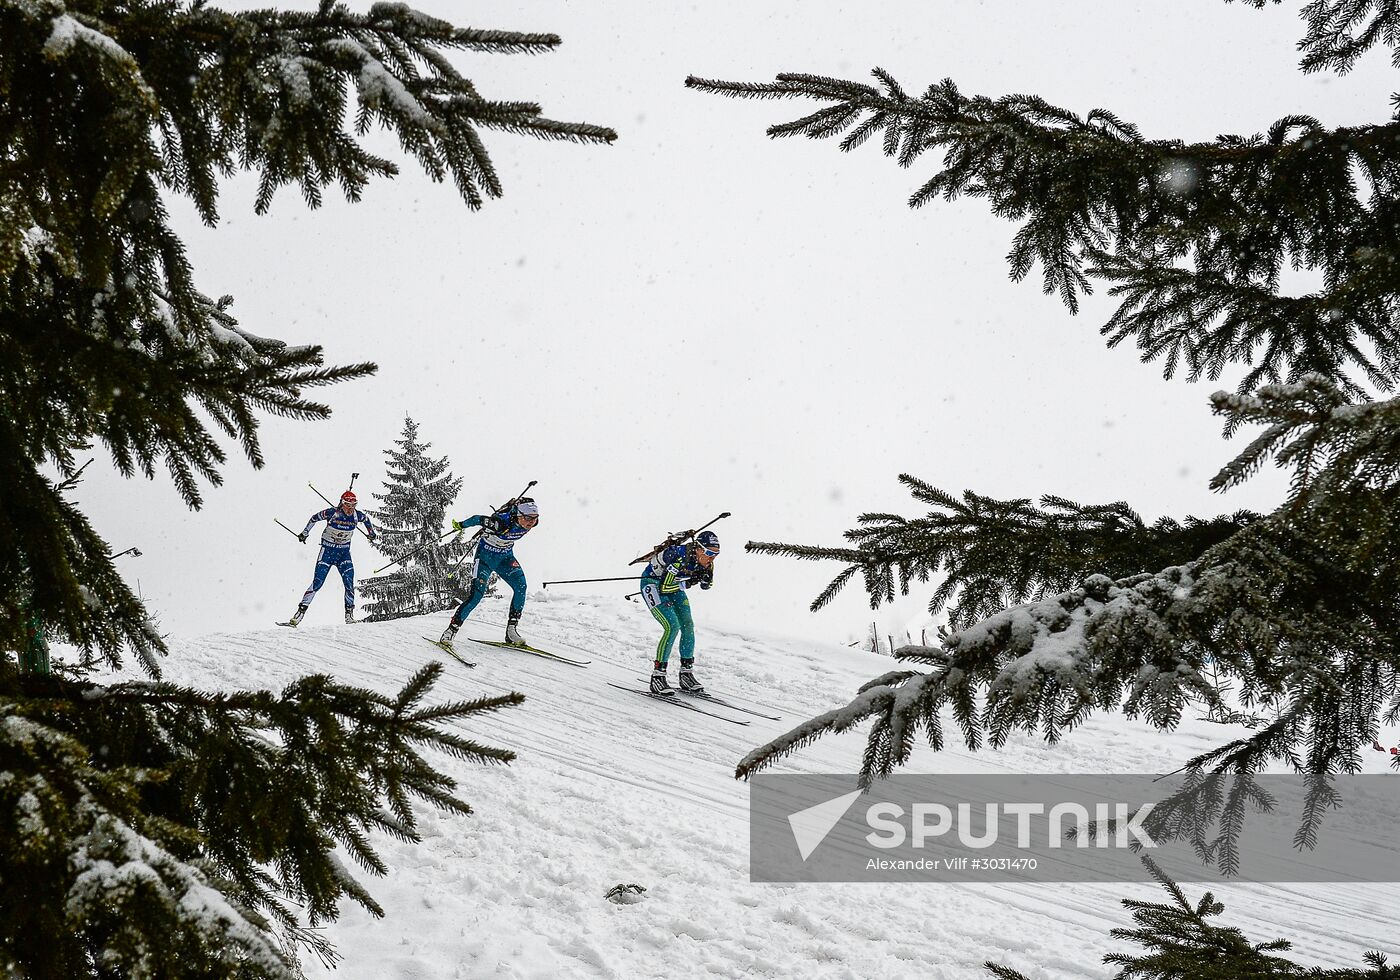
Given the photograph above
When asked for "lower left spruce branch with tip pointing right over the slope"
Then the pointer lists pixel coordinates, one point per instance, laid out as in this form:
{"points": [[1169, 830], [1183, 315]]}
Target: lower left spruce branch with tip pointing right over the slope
{"points": [[338, 762]]}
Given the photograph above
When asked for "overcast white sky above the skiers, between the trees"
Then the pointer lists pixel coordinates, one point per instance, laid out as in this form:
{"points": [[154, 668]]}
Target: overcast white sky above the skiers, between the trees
{"points": [[699, 318]]}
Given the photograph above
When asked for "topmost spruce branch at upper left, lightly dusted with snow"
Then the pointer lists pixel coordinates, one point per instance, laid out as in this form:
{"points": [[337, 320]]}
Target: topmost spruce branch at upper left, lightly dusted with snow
{"points": [[292, 73]]}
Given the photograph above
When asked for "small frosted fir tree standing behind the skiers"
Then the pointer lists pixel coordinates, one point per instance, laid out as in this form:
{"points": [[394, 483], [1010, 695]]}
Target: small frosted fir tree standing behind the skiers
{"points": [[411, 520]]}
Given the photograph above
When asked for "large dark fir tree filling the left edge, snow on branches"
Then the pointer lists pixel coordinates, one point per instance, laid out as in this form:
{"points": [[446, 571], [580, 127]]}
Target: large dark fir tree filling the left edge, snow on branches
{"points": [[149, 829]]}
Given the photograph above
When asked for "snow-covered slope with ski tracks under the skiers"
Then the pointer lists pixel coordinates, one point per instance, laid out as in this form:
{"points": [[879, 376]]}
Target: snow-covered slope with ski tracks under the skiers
{"points": [[615, 789]]}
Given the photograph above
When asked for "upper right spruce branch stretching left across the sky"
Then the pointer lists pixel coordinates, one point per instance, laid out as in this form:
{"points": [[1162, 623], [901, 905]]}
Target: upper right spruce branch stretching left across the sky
{"points": [[1093, 195]]}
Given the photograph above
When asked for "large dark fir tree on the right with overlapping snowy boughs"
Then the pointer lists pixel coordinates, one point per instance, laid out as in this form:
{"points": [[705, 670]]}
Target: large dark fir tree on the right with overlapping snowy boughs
{"points": [[1058, 610]]}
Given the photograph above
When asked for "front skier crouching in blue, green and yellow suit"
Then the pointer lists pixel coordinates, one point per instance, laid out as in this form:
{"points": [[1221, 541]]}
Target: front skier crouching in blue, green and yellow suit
{"points": [[664, 591]]}
